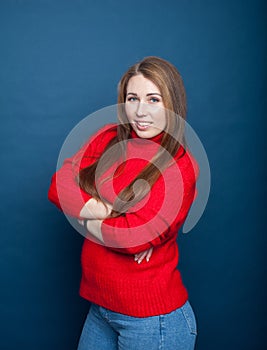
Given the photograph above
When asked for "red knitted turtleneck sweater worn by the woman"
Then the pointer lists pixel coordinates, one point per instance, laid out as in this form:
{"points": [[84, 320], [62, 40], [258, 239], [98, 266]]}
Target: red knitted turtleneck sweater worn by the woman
{"points": [[110, 276]]}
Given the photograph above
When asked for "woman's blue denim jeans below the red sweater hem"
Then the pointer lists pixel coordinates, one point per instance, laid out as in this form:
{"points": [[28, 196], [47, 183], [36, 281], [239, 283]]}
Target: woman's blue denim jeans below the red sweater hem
{"points": [[108, 330]]}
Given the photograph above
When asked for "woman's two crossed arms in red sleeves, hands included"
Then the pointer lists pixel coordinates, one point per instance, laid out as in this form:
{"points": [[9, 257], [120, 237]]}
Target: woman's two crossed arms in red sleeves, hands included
{"points": [[164, 206]]}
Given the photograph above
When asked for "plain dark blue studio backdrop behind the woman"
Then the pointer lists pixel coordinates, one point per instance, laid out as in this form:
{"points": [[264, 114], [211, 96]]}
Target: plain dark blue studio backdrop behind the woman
{"points": [[60, 61]]}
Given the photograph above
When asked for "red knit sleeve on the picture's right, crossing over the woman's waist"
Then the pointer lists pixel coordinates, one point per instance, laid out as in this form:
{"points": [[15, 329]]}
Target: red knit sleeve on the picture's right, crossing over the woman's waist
{"points": [[158, 216]]}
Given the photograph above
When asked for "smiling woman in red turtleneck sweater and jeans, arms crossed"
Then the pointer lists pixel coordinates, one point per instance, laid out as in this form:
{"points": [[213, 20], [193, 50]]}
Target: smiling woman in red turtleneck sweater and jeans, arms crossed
{"points": [[131, 186]]}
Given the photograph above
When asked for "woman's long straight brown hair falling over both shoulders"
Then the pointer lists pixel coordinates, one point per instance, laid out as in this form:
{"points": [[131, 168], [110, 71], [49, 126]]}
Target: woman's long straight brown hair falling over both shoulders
{"points": [[168, 80]]}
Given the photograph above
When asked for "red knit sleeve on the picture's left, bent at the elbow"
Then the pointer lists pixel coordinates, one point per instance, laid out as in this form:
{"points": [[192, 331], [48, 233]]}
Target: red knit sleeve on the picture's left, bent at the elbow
{"points": [[64, 191]]}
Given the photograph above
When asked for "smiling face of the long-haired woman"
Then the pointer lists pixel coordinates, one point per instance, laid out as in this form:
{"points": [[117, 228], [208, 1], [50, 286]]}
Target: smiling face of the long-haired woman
{"points": [[144, 107]]}
